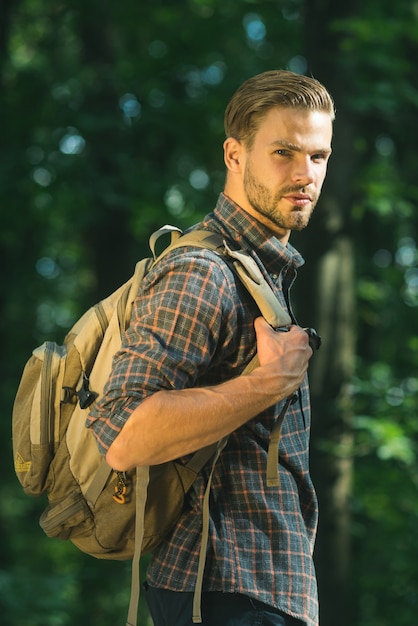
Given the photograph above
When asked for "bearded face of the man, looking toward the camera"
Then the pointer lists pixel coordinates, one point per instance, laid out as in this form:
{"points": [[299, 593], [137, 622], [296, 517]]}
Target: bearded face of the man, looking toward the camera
{"points": [[285, 167]]}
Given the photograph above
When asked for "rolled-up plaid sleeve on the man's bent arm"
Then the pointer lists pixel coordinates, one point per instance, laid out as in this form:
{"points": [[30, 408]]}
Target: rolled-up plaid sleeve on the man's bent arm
{"points": [[183, 324]]}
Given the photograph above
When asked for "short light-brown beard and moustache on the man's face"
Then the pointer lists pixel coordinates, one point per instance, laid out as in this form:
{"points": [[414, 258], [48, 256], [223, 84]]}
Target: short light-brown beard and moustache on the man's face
{"points": [[267, 203]]}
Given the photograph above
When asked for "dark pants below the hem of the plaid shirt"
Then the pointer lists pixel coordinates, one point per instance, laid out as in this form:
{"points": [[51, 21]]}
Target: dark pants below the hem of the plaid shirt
{"points": [[170, 608]]}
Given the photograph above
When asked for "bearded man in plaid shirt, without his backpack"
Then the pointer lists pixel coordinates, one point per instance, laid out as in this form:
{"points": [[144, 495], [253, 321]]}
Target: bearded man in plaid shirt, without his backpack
{"points": [[175, 386]]}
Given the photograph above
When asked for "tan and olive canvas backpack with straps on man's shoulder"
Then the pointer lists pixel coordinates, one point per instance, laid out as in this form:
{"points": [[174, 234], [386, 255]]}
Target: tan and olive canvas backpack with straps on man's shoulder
{"points": [[107, 514]]}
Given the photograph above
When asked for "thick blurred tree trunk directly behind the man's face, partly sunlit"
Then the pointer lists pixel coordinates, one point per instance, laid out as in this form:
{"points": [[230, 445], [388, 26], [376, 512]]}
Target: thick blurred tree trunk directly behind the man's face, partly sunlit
{"points": [[328, 285]]}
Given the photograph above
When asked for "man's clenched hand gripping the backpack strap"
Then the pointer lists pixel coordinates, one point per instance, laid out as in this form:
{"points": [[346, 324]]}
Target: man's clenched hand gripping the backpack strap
{"points": [[286, 354]]}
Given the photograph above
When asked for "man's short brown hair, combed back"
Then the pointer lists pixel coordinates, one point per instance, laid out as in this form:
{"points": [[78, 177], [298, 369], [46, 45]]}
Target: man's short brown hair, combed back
{"points": [[276, 88]]}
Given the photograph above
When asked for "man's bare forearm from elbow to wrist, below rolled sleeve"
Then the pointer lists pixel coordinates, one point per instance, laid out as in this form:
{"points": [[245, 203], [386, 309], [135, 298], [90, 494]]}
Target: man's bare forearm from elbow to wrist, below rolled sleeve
{"points": [[170, 424]]}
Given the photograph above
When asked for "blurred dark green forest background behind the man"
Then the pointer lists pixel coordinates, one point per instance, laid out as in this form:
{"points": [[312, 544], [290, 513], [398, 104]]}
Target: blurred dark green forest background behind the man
{"points": [[112, 125]]}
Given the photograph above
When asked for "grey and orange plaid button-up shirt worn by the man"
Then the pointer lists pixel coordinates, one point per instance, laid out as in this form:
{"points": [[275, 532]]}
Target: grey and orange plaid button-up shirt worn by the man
{"points": [[193, 326]]}
